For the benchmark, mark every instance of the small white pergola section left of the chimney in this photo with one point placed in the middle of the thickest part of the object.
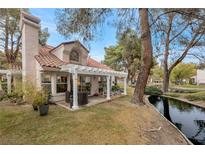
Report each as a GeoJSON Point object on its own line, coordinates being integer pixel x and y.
{"type": "Point", "coordinates": [8, 74]}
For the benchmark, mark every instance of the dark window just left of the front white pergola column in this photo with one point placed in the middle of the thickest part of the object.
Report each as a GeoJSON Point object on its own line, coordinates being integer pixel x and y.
{"type": "Point", "coordinates": [61, 84]}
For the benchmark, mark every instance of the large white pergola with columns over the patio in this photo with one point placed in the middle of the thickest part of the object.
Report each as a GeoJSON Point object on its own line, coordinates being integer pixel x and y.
{"type": "Point", "coordinates": [78, 69]}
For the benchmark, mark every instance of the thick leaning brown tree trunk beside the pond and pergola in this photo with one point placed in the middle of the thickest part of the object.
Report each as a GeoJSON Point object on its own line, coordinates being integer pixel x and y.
{"type": "Point", "coordinates": [146, 57]}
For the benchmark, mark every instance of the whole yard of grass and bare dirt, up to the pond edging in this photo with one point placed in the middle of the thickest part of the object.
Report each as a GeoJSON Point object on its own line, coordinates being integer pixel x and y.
{"type": "Point", "coordinates": [116, 122]}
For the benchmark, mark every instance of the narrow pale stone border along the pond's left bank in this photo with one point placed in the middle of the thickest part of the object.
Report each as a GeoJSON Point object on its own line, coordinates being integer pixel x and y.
{"type": "Point", "coordinates": [187, 140]}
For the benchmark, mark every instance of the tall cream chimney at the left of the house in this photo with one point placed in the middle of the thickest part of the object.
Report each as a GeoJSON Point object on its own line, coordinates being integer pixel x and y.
{"type": "Point", "coordinates": [30, 46]}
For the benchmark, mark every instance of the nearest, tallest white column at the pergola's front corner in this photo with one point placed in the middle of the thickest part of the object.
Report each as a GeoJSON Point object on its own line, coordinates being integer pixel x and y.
{"type": "Point", "coordinates": [75, 91]}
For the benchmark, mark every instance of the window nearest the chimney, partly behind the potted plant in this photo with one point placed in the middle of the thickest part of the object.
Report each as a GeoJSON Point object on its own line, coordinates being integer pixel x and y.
{"type": "Point", "coordinates": [46, 82]}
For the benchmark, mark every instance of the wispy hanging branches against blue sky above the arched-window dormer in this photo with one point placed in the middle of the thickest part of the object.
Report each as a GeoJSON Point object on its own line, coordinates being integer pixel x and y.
{"type": "Point", "coordinates": [84, 22]}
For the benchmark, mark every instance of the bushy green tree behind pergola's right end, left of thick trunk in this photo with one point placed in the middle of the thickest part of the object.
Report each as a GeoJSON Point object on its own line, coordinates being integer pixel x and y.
{"type": "Point", "coordinates": [126, 54]}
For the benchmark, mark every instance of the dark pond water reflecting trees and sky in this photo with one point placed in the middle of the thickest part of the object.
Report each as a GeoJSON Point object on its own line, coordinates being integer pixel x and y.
{"type": "Point", "coordinates": [188, 118]}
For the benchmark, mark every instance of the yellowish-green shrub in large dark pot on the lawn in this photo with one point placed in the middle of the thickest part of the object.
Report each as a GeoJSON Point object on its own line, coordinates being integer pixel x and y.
{"type": "Point", "coordinates": [41, 100]}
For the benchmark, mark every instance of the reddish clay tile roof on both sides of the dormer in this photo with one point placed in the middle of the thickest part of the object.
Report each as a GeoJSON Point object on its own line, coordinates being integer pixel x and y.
{"type": "Point", "coordinates": [48, 60]}
